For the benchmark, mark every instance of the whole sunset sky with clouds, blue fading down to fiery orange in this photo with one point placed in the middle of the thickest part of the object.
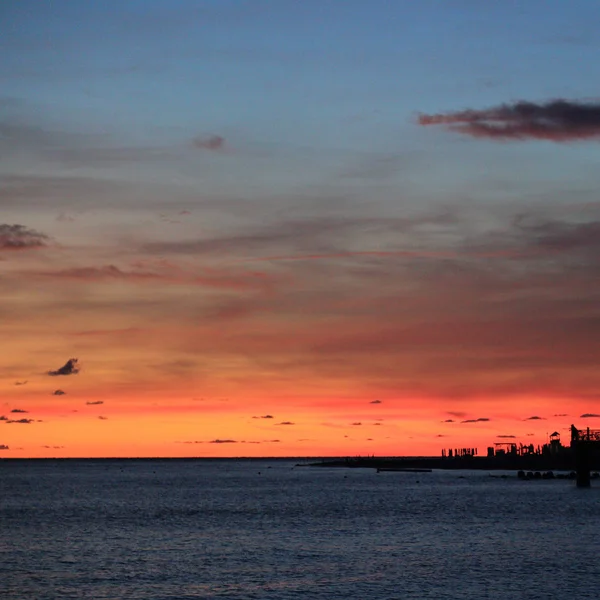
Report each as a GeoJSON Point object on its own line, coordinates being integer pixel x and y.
{"type": "Point", "coordinates": [282, 228]}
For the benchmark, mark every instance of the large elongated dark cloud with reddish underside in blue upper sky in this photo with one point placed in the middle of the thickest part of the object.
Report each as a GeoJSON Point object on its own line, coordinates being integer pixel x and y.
{"type": "Point", "coordinates": [556, 120]}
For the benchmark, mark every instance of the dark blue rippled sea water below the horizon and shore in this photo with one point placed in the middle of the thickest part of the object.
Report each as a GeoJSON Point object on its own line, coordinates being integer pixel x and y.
{"type": "Point", "coordinates": [250, 529]}
